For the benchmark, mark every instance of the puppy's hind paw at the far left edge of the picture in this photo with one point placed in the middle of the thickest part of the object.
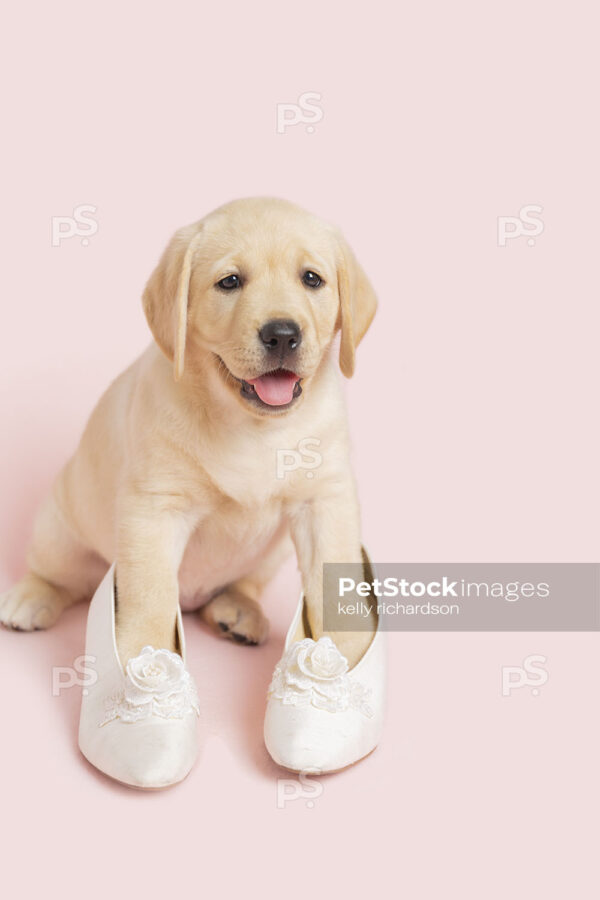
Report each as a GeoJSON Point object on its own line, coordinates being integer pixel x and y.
{"type": "Point", "coordinates": [32, 604]}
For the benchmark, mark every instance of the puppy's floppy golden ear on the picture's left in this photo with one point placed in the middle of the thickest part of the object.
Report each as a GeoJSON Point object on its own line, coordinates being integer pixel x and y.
{"type": "Point", "coordinates": [165, 298]}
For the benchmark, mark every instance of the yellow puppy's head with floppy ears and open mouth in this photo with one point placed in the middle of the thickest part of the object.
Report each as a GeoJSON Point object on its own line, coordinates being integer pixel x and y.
{"type": "Point", "coordinates": [257, 291]}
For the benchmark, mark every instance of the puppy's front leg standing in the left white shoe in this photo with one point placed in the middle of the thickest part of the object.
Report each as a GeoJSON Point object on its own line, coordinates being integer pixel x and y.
{"type": "Point", "coordinates": [153, 531]}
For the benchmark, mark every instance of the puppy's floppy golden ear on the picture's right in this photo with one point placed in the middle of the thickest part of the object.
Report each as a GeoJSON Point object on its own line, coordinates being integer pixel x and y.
{"type": "Point", "coordinates": [357, 305]}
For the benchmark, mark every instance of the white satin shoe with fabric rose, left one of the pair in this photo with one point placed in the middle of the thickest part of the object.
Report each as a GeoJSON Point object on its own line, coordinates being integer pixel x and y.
{"type": "Point", "coordinates": [138, 726]}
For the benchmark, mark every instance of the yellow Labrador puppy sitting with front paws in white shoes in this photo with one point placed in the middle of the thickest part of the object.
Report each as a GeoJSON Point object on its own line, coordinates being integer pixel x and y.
{"type": "Point", "coordinates": [178, 473]}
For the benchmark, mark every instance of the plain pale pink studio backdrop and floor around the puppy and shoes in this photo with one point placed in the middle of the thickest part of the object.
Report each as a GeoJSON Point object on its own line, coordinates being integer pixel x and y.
{"type": "Point", "coordinates": [474, 415]}
